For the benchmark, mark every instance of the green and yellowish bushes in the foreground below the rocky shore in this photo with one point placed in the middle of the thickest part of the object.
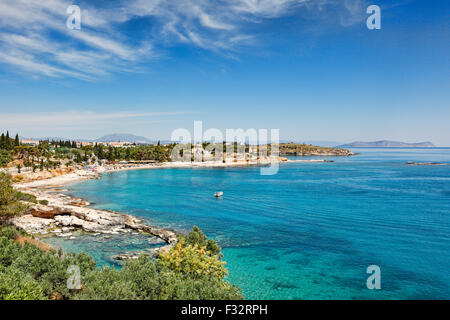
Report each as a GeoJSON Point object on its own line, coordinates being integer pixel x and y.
{"type": "Point", "coordinates": [187, 271]}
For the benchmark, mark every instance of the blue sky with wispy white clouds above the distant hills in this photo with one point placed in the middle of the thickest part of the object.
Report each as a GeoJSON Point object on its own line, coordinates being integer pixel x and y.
{"type": "Point", "coordinates": [310, 68]}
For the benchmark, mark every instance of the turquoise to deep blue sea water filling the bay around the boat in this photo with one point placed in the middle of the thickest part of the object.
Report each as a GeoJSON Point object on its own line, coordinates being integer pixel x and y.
{"type": "Point", "coordinates": [308, 232]}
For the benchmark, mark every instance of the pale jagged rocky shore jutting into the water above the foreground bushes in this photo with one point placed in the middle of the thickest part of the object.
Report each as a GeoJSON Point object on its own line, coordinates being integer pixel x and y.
{"type": "Point", "coordinates": [64, 216]}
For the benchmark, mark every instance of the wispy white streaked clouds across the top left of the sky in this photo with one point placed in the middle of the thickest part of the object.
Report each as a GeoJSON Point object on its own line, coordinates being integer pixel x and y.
{"type": "Point", "coordinates": [34, 37]}
